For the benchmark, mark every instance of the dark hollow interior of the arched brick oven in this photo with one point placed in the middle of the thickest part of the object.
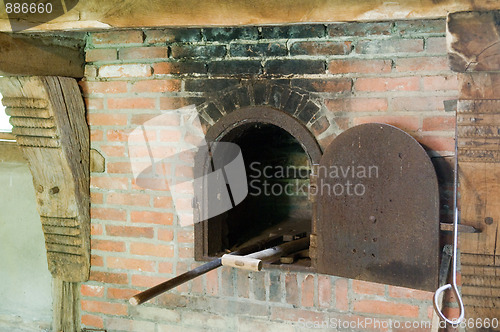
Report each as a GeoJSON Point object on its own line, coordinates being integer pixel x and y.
{"type": "Point", "coordinates": [277, 170]}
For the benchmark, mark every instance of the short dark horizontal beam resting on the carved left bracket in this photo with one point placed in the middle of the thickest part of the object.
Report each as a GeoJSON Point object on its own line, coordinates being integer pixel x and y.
{"type": "Point", "coordinates": [41, 55]}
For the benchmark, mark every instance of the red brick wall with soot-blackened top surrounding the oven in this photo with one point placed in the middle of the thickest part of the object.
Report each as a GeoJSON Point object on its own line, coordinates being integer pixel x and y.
{"type": "Point", "coordinates": [392, 72]}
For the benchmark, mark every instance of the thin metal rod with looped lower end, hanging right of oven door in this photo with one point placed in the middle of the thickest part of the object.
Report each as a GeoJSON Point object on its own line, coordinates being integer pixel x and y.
{"type": "Point", "coordinates": [453, 284]}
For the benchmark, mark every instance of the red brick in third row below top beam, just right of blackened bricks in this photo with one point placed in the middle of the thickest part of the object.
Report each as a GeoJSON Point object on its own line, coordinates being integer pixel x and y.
{"type": "Point", "coordinates": [359, 66]}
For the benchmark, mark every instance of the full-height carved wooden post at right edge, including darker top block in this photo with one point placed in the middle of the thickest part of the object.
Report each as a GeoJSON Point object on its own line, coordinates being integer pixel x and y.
{"type": "Point", "coordinates": [474, 52]}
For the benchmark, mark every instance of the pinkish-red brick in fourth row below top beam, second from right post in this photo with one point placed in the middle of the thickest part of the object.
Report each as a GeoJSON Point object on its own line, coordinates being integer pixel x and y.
{"type": "Point", "coordinates": [387, 84]}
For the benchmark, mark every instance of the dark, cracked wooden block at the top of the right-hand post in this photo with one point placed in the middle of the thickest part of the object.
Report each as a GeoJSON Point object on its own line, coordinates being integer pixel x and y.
{"type": "Point", "coordinates": [475, 41]}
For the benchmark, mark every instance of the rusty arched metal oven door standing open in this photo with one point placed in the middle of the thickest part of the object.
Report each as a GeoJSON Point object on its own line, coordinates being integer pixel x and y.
{"type": "Point", "coordinates": [377, 209]}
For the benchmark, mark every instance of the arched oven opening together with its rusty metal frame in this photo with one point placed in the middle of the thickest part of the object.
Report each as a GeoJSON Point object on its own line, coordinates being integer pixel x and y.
{"type": "Point", "coordinates": [278, 152]}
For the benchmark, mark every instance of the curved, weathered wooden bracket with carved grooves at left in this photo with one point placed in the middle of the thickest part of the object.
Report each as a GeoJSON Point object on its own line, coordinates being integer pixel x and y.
{"type": "Point", "coordinates": [48, 116]}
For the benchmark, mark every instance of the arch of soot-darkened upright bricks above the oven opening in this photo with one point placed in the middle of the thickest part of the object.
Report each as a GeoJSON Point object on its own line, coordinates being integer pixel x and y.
{"type": "Point", "coordinates": [298, 103]}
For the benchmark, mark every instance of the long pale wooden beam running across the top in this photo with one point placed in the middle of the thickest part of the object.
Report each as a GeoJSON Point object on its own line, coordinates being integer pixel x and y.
{"type": "Point", "coordinates": [92, 14]}
